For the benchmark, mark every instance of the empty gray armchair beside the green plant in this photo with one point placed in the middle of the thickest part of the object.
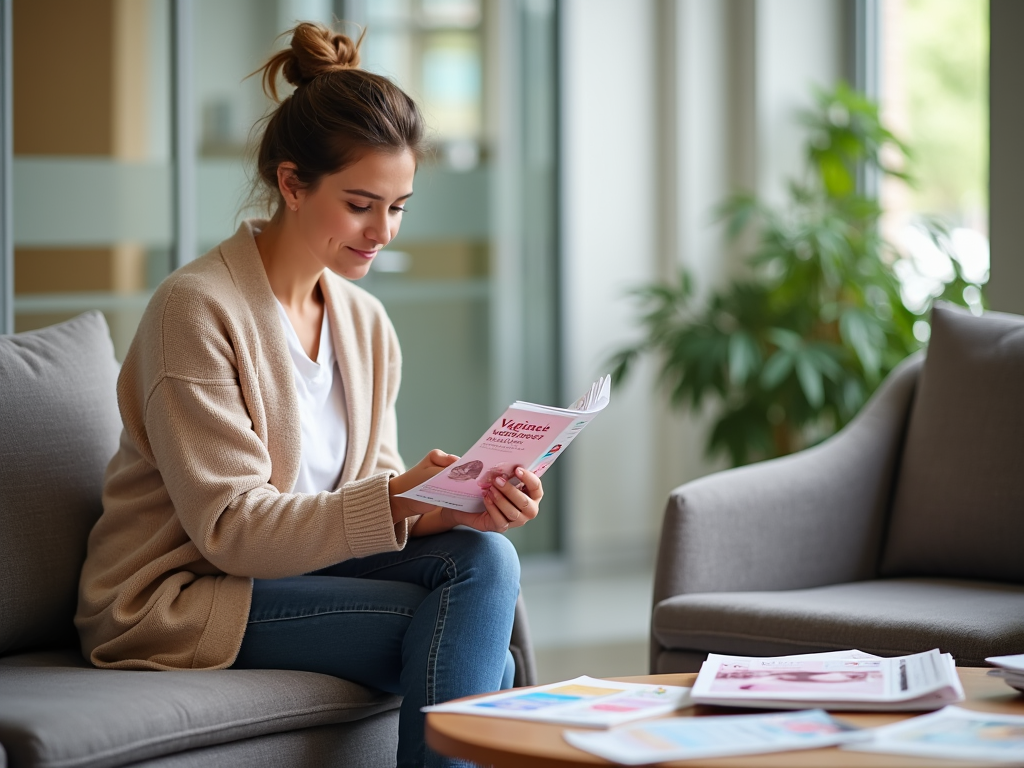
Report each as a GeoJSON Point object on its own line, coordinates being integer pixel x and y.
{"type": "Point", "coordinates": [904, 533]}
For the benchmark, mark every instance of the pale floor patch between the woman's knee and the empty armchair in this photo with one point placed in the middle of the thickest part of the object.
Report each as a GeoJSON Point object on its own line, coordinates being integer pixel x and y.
{"type": "Point", "coordinates": [588, 624]}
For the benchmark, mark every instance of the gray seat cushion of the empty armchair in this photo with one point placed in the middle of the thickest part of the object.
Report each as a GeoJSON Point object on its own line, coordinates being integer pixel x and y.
{"type": "Point", "coordinates": [890, 617]}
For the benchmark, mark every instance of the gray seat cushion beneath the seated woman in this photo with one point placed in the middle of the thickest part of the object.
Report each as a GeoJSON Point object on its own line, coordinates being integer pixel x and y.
{"type": "Point", "coordinates": [58, 712]}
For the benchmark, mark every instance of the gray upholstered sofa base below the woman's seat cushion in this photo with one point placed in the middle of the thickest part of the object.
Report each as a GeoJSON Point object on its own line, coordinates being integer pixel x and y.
{"type": "Point", "coordinates": [368, 744]}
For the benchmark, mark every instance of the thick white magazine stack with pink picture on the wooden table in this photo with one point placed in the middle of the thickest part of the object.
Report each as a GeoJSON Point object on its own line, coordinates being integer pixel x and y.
{"type": "Point", "coordinates": [839, 680]}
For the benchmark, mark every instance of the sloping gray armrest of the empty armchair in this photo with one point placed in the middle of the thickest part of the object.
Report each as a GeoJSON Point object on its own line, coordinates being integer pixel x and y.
{"type": "Point", "coordinates": [809, 520]}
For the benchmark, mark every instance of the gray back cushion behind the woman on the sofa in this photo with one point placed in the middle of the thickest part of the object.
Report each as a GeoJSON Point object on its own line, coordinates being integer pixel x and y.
{"type": "Point", "coordinates": [59, 429]}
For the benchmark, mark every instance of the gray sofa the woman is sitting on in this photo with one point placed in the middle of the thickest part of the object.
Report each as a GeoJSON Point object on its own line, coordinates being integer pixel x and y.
{"type": "Point", "coordinates": [59, 428]}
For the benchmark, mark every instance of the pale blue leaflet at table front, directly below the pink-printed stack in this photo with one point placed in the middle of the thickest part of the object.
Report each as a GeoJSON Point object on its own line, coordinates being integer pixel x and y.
{"type": "Point", "coordinates": [684, 739]}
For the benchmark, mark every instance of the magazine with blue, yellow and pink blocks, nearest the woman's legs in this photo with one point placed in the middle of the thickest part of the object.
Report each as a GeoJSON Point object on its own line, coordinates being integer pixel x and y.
{"type": "Point", "coordinates": [583, 702]}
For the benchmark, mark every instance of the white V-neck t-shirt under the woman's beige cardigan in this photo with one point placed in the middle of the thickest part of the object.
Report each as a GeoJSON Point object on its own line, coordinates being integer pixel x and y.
{"type": "Point", "coordinates": [323, 414]}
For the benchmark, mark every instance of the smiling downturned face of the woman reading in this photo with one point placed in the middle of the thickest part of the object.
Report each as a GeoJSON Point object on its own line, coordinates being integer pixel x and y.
{"type": "Point", "coordinates": [354, 214]}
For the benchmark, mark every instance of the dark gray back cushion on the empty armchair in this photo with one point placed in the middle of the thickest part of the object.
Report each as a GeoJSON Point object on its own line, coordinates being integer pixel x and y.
{"type": "Point", "coordinates": [959, 509]}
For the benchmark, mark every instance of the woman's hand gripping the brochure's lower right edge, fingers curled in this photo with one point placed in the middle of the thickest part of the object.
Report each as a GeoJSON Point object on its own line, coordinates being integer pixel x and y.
{"type": "Point", "coordinates": [506, 507]}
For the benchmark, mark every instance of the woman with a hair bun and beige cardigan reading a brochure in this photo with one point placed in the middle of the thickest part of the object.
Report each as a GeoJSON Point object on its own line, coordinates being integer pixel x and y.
{"type": "Point", "coordinates": [251, 516]}
